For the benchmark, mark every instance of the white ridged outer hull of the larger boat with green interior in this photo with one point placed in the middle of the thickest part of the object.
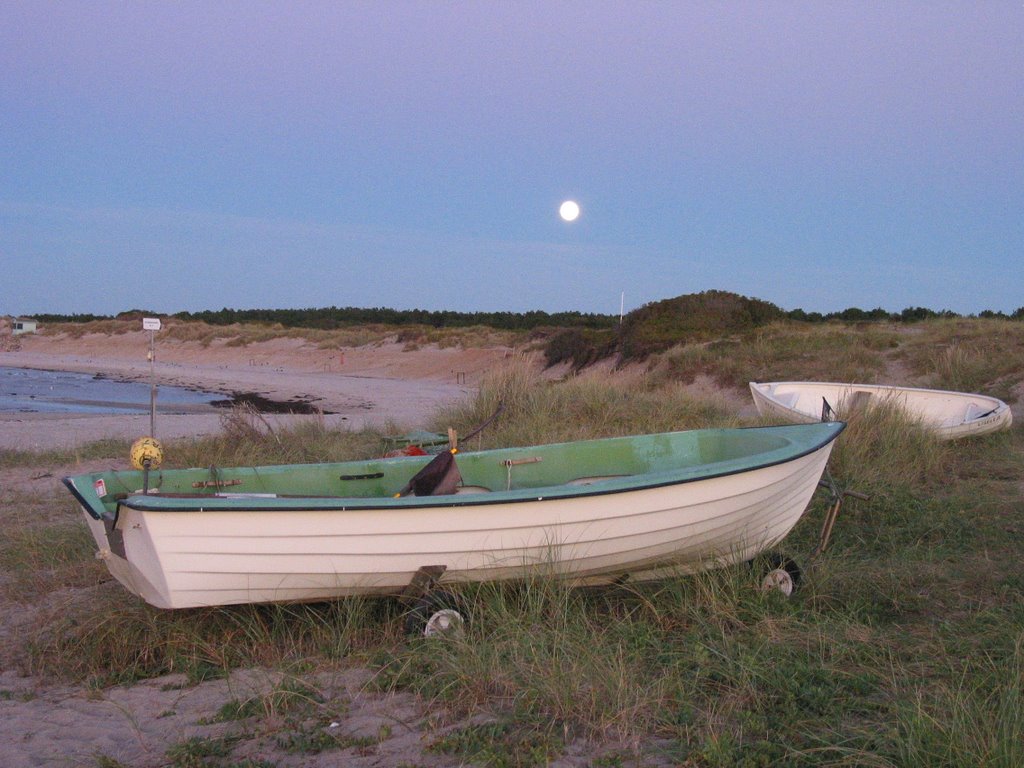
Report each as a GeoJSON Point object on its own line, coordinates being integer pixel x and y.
{"type": "Point", "coordinates": [274, 550]}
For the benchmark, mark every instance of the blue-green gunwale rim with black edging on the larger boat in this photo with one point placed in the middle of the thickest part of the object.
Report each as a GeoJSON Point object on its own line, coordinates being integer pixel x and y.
{"type": "Point", "coordinates": [630, 484]}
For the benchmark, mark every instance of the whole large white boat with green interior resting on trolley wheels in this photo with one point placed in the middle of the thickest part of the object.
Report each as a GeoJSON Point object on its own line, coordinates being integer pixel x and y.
{"type": "Point", "coordinates": [594, 511]}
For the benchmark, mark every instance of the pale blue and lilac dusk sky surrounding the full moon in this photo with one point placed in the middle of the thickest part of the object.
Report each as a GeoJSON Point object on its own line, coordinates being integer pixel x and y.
{"type": "Point", "coordinates": [817, 155]}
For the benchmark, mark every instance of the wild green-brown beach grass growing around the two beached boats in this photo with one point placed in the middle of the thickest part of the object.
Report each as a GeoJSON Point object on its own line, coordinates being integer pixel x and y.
{"type": "Point", "coordinates": [905, 646]}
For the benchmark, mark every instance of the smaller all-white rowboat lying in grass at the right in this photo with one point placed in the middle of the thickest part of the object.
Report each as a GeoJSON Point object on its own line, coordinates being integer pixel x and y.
{"type": "Point", "coordinates": [949, 415]}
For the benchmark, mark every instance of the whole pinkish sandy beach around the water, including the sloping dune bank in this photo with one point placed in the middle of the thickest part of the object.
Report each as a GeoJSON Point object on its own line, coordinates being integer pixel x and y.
{"type": "Point", "coordinates": [376, 386]}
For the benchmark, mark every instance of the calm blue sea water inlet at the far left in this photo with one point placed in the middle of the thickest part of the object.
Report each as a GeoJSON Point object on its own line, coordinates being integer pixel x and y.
{"type": "Point", "coordinates": [27, 391]}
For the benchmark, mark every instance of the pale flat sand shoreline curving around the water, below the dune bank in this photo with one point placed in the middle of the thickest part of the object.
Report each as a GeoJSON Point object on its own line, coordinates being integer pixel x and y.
{"type": "Point", "coordinates": [356, 400]}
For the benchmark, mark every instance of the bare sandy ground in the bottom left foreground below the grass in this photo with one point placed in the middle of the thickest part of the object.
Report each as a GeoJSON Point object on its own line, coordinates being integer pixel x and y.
{"type": "Point", "coordinates": [139, 726]}
